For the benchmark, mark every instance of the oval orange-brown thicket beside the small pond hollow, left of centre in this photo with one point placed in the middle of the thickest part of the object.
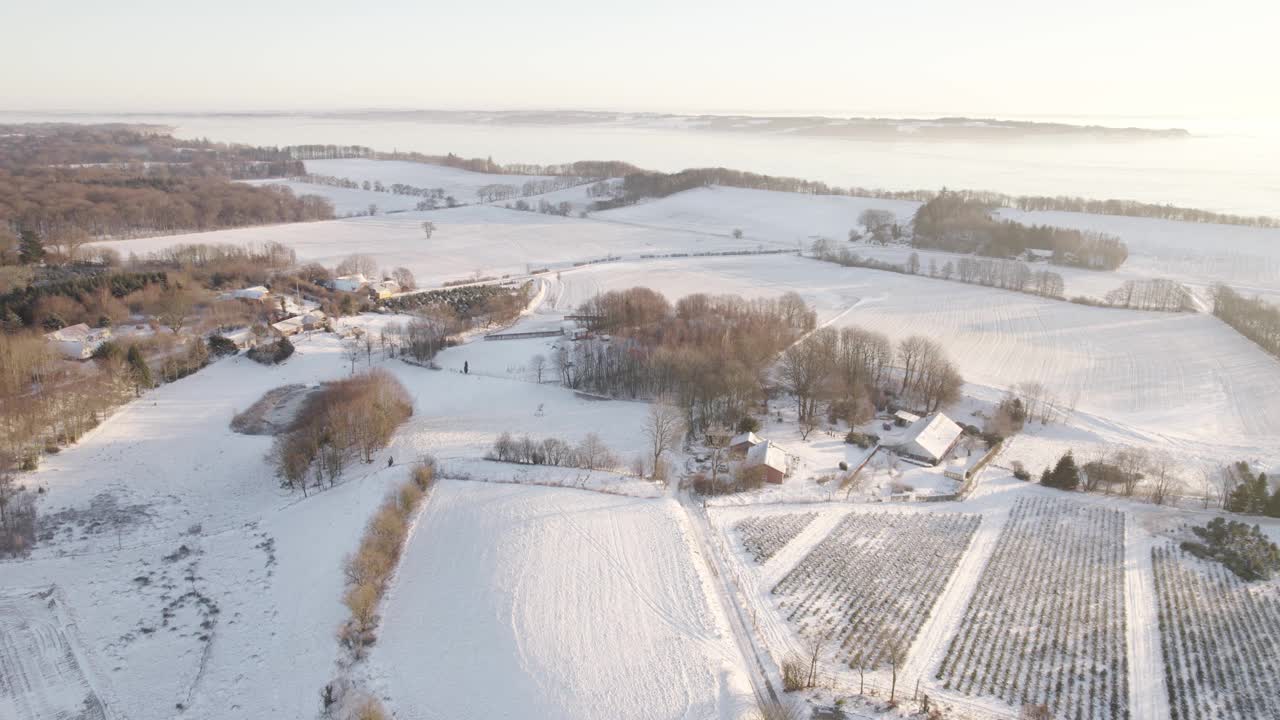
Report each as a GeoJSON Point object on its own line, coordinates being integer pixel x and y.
{"type": "Point", "coordinates": [346, 421]}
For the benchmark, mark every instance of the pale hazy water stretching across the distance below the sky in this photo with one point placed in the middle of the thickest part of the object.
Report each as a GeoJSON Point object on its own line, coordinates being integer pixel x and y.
{"type": "Point", "coordinates": [1228, 168]}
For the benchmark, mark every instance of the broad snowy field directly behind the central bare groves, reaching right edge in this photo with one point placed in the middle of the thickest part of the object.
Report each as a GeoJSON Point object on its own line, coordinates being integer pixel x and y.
{"type": "Point", "coordinates": [1185, 382]}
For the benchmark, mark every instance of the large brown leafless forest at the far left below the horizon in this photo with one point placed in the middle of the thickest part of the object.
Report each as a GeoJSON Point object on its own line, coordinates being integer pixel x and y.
{"type": "Point", "coordinates": [66, 184]}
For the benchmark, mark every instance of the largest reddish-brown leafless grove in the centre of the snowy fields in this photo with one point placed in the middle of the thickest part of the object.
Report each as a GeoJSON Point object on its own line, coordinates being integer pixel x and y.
{"type": "Point", "coordinates": [707, 356]}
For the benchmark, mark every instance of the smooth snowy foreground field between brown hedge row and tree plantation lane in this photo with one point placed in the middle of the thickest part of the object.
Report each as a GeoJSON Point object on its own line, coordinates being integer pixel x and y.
{"type": "Point", "coordinates": [536, 603]}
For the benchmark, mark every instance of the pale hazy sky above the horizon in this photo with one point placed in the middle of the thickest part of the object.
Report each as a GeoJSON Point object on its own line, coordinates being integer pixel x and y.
{"type": "Point", "coordinates": [1118, 58]}
